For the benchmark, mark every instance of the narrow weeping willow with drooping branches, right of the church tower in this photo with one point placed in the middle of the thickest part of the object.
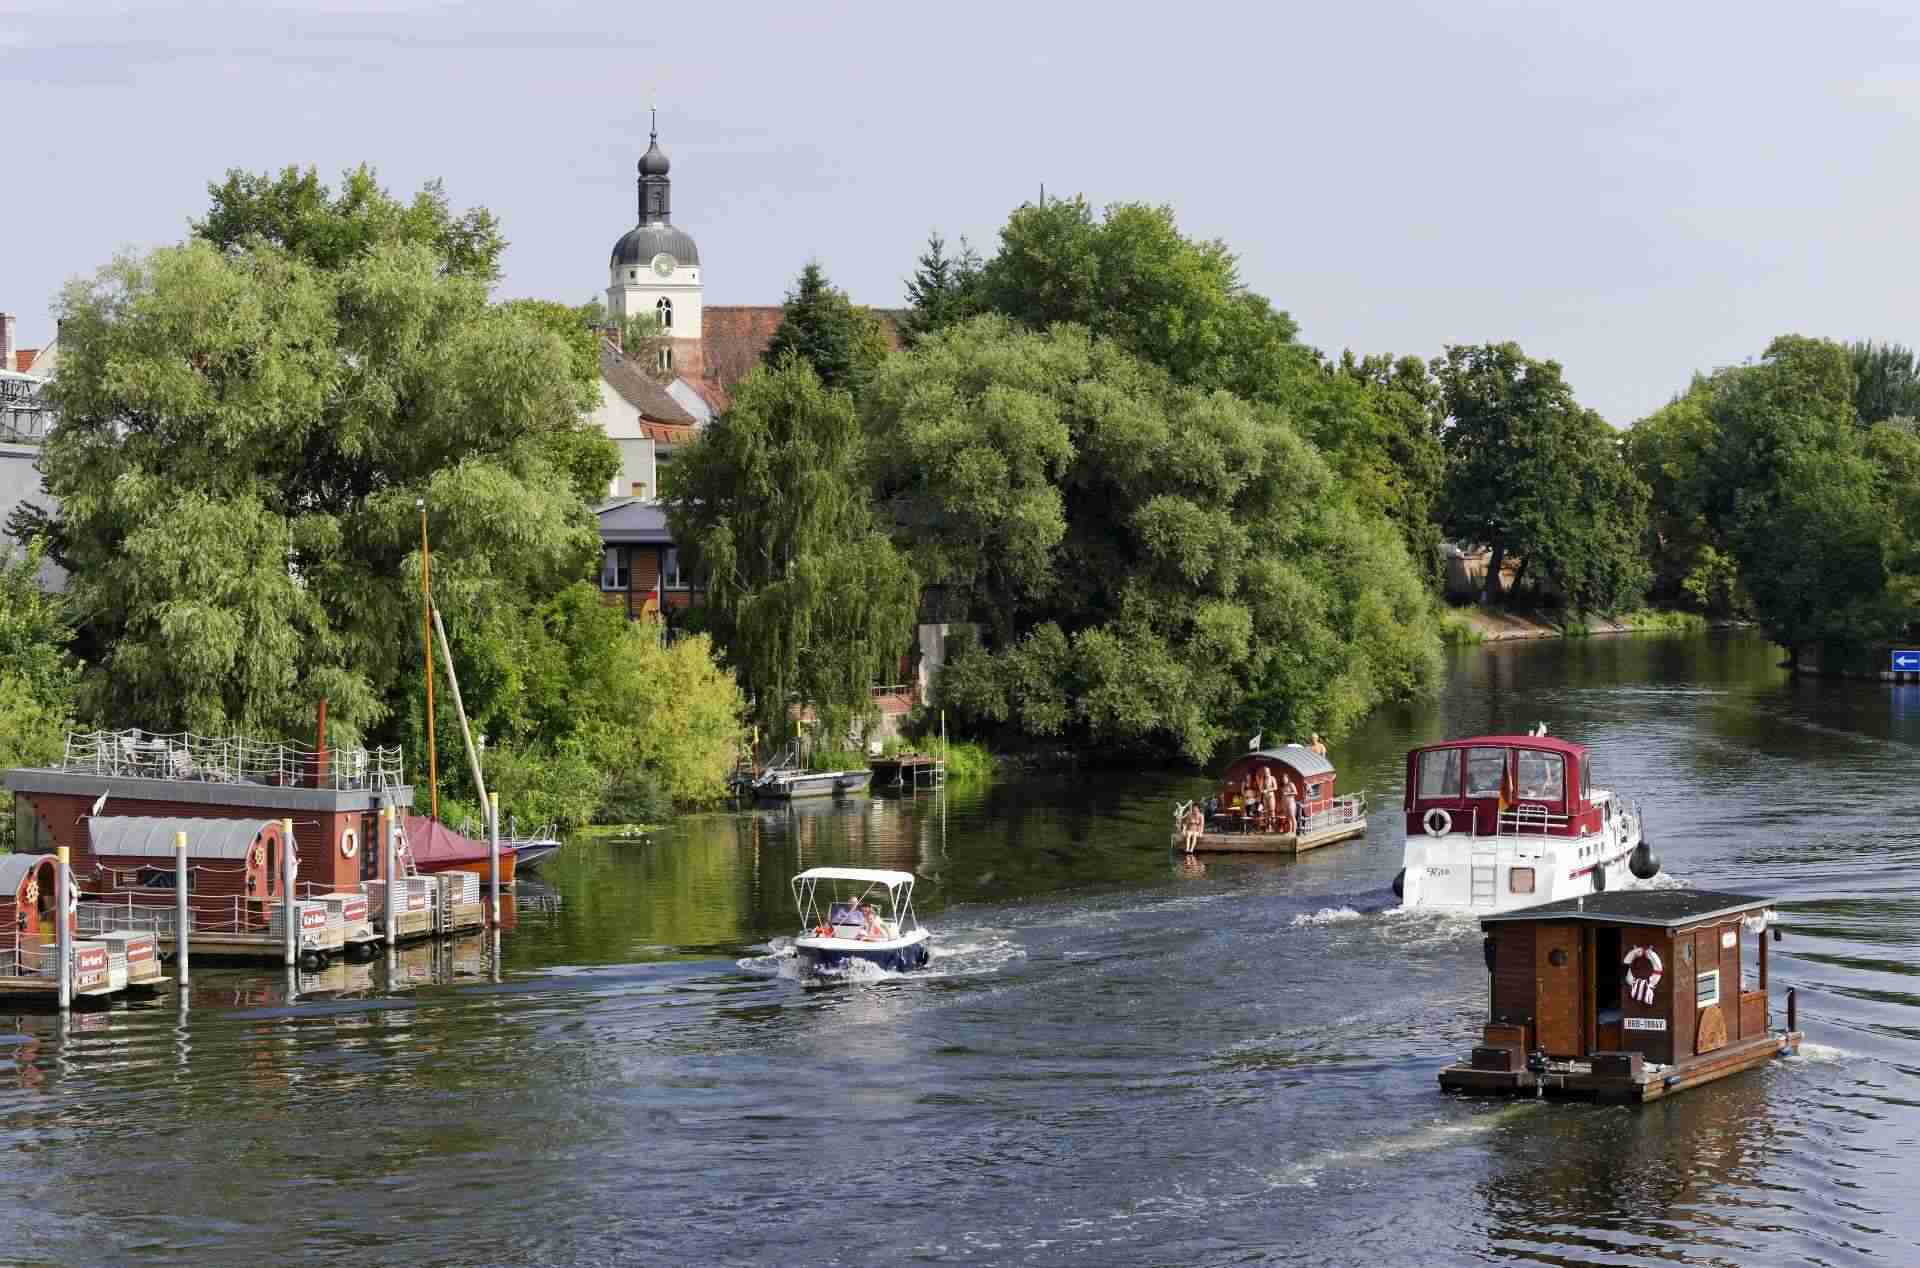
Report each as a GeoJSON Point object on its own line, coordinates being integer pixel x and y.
{"type": "Point", "coordinates": [807, 597]}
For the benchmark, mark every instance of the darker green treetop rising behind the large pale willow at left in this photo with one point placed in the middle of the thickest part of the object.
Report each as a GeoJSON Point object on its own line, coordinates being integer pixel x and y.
{"type": "Point", "coordinates": [302, 216]}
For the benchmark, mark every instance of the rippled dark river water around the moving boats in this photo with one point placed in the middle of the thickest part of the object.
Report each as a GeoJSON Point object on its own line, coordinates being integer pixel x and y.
{"type": "Point", "coordinates": [1111, 1061]}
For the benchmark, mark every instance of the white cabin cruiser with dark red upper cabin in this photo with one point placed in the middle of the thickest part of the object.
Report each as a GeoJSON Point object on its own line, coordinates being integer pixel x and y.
{"type": "Point", "coordinates": [1499, 823]}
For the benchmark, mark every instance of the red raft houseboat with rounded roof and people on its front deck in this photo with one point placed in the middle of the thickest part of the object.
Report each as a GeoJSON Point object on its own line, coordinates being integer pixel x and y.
{"type": "Point", "coordinates": [1237, 817]}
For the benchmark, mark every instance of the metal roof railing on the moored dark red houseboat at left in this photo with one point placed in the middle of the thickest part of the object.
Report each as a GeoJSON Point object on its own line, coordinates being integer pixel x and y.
{"type": "Point", "coordinates": [229, 760]}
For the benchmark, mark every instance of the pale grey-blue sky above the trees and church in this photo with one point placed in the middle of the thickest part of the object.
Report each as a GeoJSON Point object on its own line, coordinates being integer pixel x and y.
{"type": "Point", "coordinates": [1637, 191]}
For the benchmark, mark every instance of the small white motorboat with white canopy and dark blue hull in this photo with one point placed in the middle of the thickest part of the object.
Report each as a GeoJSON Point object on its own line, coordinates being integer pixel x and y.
{"type": "Point", "coordinates": [852, 914]}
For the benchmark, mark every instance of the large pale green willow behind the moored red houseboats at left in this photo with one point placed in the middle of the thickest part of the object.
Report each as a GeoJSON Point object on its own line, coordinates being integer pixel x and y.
{"type": "Point", "coordinates": [245, 435]}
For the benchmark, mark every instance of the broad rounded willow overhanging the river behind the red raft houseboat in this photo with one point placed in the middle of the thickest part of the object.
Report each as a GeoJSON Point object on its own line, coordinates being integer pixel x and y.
{"type": "Point", "coordinates": [1151, 566]}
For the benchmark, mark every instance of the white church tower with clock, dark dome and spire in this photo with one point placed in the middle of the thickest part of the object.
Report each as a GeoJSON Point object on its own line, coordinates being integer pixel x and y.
{"type": "Point", "coordinates": [658, 270]}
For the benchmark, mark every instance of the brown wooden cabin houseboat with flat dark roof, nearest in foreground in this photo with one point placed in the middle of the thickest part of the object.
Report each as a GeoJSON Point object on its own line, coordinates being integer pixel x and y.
{"type": "Point", "coordinates": [1625, 996]}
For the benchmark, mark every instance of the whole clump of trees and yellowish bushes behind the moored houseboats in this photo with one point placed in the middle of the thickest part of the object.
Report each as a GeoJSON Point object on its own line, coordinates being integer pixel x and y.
{"type": "Point", "coordinates": [249, 424]}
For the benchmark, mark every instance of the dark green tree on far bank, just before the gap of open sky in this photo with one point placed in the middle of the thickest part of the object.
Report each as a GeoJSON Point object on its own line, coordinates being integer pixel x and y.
{"type": "Point", "coordinates": [1535, 475]}
